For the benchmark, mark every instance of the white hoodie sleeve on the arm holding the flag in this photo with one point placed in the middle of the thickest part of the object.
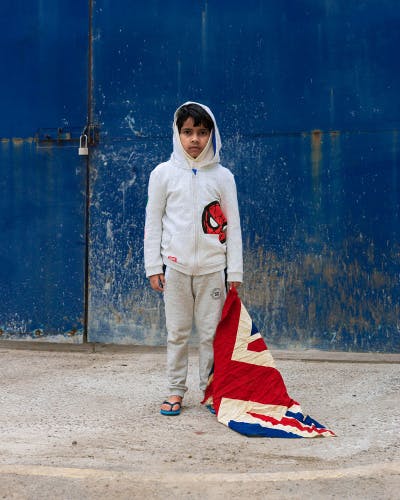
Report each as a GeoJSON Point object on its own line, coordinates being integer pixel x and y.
{"type": "Point", "coordinates": [234, 252]}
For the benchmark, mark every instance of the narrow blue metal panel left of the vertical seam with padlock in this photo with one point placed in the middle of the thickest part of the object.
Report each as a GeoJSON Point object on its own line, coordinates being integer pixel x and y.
{"type": "Point", "coordinates": [43, 102]}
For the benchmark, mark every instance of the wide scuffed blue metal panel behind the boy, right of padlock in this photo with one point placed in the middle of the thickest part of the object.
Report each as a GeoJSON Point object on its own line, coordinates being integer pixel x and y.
{"type": "Point", "coordinates": [306, 95]}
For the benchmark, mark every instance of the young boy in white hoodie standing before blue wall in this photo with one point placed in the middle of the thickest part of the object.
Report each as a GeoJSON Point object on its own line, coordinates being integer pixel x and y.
{"type": "Point", "coordinates": [192, 236]}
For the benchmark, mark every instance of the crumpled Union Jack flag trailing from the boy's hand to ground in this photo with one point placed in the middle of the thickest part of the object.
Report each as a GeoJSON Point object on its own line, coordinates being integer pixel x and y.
{"type": "Point", "coordinates": [247, 391]}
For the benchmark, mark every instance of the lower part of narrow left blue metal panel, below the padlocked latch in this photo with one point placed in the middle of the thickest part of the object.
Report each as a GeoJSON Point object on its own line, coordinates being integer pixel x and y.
{"type": "Point", "coordinates": [42, 251]}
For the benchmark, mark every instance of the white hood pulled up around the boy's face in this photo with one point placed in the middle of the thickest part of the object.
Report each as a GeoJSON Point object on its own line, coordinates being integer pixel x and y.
{"type": "Point", "coordinates": [209, 156]}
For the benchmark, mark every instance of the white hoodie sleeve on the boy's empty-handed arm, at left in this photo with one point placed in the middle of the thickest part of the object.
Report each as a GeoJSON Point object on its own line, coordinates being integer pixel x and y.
{"type": "Point", "coordinates": [153, 225]}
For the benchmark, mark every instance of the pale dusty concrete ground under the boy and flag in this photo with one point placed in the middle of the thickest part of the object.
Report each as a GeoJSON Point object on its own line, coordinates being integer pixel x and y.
{"type": "Point", "coordinates": [82, 422]}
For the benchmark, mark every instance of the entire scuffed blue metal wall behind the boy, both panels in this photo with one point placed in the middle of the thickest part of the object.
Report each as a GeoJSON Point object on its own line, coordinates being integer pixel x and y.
{"type": "Point", "coordinates": [306, 96]}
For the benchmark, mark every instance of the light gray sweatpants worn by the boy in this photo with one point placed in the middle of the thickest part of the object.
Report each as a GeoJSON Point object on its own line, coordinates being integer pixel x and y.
{"type": "Point", "coordinates": [191, 300]}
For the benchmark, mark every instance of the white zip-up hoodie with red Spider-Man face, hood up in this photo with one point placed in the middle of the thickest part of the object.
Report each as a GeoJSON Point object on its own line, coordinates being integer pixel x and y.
{"type": "Point", "coordinates": [184, 227]}
